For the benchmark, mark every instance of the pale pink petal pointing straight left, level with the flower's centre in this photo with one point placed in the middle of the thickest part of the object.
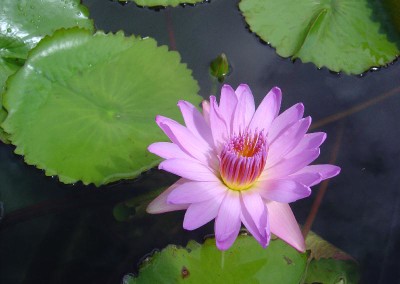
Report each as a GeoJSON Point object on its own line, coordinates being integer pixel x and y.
{"type": "Point", "coordinates": [188, 169]}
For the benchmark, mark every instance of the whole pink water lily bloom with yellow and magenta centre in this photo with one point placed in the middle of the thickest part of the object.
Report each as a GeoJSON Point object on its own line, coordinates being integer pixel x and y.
{"type": "Point", "coordinates": [240, 166]}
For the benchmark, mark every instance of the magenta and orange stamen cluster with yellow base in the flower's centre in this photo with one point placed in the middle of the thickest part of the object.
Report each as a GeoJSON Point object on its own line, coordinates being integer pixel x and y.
{"type": "Point", "coordinates": [243, 159]}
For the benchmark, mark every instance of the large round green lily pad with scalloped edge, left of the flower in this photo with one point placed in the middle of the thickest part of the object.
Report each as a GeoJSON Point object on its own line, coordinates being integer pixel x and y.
{"type": "Point", "coordinates": [83, 105]}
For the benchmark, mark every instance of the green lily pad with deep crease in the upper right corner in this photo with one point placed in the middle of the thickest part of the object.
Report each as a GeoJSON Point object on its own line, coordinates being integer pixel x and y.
{"type": "Point", "coordinates": [344, 36]}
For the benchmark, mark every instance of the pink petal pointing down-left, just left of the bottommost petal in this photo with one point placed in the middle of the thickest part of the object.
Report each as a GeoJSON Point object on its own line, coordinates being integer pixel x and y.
{"type": "Point", "coordinates": [201, 213]}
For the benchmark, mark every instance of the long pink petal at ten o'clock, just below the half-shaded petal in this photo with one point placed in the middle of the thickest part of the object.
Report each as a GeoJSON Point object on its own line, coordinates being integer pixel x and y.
{"type": "Point", "coordinates": [185, 139]}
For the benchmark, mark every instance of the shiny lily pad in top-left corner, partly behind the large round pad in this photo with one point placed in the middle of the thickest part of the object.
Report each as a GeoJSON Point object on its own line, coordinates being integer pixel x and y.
{"type": "Point", "coordinates": [24, 23]}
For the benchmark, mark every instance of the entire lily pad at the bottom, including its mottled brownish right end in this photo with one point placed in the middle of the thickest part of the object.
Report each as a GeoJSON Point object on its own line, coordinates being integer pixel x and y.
{"type": "Point", "coordinates": [247, 262]}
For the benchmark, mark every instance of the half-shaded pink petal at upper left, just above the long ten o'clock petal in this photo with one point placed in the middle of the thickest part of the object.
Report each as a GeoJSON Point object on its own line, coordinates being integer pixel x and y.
{"type": "Point", "coordinates": [195, 122]}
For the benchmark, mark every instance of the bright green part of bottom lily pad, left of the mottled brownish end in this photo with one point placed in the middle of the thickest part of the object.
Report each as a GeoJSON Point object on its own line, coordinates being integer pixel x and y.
{"type": "Point", "coordinates": [245, 262]}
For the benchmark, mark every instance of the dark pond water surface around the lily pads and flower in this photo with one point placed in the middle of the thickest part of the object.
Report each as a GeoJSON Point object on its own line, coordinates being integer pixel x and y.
{"type": "Point", "coordinates": [55, 233]}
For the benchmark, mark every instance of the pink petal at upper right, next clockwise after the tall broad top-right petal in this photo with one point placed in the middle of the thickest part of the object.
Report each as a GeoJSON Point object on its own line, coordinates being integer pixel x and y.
{"type": "Point", "coordinates": [285, 120]}
